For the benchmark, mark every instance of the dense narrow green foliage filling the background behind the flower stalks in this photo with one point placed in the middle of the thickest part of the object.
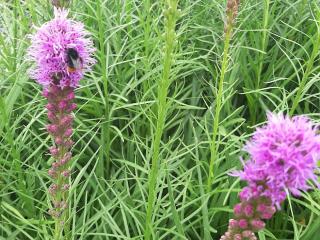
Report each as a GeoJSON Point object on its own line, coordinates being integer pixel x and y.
{"type": "Point", "coordinates": [273, 65]}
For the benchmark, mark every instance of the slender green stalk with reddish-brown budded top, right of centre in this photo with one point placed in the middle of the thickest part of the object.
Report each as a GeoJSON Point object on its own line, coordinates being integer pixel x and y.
{"type": "Point", "coordinates": [231, 12]}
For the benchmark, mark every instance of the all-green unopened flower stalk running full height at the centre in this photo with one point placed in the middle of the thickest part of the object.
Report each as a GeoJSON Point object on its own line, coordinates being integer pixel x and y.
{"type": "Point", "coordinates": [171, 15]}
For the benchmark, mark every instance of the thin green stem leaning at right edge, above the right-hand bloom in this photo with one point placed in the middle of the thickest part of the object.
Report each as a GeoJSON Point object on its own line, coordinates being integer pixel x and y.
{"type": "Point", "coordinates": [314, 54]}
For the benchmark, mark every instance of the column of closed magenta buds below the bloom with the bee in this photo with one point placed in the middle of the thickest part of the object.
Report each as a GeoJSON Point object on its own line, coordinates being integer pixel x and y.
{"type": "Point", "coordinates": [60, 106]}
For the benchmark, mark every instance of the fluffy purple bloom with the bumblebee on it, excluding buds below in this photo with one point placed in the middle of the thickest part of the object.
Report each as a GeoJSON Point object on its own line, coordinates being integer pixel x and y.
{"type": "Point", "coordinates": [62, 51]}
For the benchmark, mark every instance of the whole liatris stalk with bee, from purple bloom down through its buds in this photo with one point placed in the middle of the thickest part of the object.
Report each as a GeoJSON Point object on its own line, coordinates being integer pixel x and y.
{"type": "Point", "coordinates": [61, 50]}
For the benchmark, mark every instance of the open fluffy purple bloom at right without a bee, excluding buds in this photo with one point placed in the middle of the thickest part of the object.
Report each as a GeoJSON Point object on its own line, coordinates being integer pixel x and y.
{"type": "Point", "coordinates": [284, 155]}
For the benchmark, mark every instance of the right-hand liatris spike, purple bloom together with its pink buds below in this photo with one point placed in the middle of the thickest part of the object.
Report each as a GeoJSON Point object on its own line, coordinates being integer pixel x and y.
{"type": "Point", "coordinates": [284, 156]}
